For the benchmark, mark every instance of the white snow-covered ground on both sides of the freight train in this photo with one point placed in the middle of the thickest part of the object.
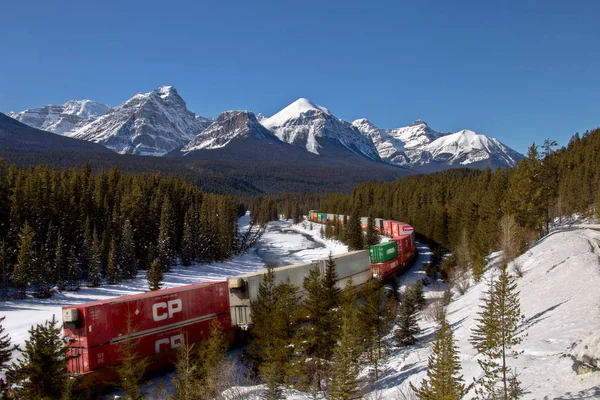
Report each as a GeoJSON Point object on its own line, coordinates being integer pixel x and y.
{"type": "Point", "coordinates": [559, 298]}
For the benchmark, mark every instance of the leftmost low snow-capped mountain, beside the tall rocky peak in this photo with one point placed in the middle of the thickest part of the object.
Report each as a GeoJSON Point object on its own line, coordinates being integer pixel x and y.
{"type": "Point", "coordinates": [62, 119]}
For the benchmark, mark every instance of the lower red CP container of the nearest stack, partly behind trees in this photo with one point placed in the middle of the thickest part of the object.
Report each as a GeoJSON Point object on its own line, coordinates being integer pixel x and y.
{"type": "Point", "coordinates": [147, 344]}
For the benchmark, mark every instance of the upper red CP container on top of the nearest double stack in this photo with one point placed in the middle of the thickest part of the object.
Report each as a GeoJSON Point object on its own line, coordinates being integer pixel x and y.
{"type": "Point", "coordinates": [104, 321]}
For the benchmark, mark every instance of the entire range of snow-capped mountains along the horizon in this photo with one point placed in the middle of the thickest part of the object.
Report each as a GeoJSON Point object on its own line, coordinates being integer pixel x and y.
{"type": "Point", "coordinates": [158, 123]}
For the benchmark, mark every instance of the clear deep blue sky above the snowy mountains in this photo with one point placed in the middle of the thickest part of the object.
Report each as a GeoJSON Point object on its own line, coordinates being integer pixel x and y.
{"type": "Point", "coordinates": [520, 71]}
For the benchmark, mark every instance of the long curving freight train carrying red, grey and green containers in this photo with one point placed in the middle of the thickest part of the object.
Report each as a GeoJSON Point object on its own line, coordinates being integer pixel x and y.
{"type": "Point", "coordinates": [163, 320]}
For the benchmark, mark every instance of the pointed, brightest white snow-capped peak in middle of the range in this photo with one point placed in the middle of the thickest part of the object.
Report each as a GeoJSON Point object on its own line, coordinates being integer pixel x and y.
{"type": "Point", "coordinates": [307, 125]}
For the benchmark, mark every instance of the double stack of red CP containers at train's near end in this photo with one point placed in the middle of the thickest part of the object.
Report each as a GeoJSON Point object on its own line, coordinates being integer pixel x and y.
{"type": "Point", "coordinates": [160, 322]}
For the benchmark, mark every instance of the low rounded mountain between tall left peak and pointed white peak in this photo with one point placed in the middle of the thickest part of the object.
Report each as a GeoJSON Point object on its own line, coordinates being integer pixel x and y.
{"type": "Point", "coordinates": [228, 126]}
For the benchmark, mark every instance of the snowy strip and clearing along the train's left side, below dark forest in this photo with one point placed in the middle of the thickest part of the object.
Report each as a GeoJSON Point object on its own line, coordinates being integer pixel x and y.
{"type": "Point", "coordinates": [283, 240]}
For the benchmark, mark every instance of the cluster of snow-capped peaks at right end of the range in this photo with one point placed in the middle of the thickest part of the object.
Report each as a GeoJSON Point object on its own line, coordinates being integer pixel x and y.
{"type": "Point", "coordinates": [420, 147]}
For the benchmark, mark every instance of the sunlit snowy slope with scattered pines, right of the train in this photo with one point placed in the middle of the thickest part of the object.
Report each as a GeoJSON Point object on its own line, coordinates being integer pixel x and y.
{"type": "Point", "coordinates": [560, 299]}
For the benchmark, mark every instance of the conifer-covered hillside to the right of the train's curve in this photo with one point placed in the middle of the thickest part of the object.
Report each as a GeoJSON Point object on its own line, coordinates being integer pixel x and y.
{"type": "Point", "coordinates": [467, 205]}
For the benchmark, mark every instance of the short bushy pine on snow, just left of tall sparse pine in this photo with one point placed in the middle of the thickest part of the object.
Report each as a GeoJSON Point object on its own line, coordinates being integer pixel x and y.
{"type": "Point", "coordinates": [443, 369]}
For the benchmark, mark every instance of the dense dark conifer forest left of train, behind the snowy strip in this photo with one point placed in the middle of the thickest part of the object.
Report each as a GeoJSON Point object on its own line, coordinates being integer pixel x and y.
{"type": "Point", "coordinates": [66, 227]}
